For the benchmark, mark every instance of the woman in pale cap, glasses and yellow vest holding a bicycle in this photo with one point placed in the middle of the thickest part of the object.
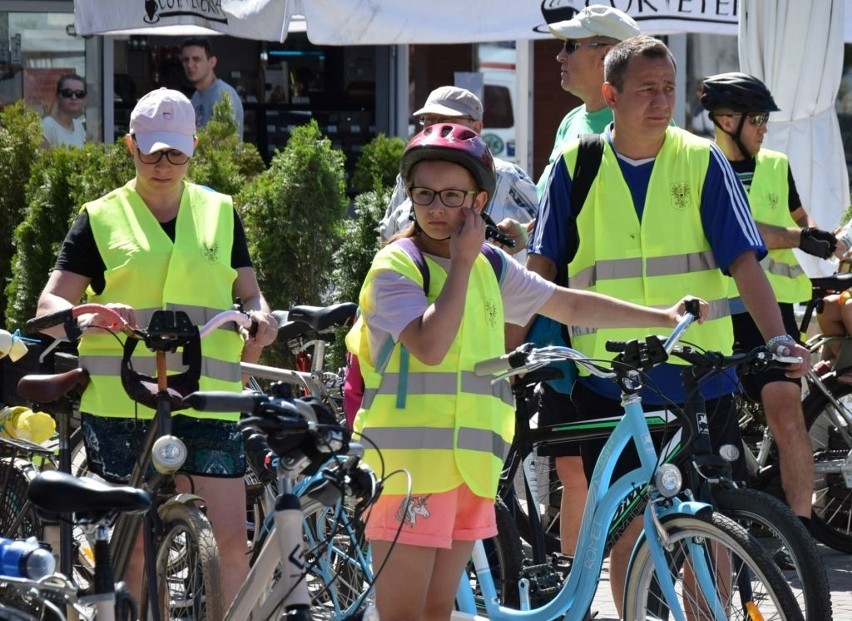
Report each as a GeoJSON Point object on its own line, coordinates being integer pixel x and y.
{"type": "Point", "coordinates": [162, 241]}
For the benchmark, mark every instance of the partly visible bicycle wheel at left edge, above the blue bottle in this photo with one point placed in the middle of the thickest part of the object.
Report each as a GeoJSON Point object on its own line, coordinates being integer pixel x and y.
{"type": "Point", "coordinates": [18, 518]}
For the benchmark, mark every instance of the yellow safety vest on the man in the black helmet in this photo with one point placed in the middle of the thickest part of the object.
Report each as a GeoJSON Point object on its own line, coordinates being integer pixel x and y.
{"type": "Point", "coordinates": [768, 197]}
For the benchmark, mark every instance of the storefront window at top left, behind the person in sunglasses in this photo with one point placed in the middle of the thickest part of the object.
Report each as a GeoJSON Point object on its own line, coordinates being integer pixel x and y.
{"type": "Point", "coordinates": [42, 46]}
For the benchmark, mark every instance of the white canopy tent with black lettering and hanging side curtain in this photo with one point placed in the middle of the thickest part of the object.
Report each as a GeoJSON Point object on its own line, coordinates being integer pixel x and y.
{"type": "Point", "coordinates": [797, 47]}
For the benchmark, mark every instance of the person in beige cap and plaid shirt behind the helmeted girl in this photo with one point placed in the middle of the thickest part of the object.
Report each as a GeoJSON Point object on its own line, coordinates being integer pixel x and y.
{"type": "Point", "coordinates": [514, 196]}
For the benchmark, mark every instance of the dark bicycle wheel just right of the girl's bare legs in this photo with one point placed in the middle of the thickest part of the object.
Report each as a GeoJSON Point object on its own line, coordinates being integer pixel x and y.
{"type": "Point", "coordinates": [505, 558]}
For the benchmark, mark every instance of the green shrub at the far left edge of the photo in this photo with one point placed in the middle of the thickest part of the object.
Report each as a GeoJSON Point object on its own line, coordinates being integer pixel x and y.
{"type": "Point", "coordinates": [20, 140]}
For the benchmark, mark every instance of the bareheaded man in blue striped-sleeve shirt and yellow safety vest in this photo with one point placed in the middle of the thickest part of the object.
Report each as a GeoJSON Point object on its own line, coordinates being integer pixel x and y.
{"type": "Point", "coordinates": [664, 215]}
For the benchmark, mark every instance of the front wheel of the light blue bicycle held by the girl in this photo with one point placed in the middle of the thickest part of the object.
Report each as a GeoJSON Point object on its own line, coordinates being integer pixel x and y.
{"type": "Point", "coordinates": [770, 592]}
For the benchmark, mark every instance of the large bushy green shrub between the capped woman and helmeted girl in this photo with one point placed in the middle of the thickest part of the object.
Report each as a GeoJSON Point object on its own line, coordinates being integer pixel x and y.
{"type": "Point", "coordinates": [293, 215]}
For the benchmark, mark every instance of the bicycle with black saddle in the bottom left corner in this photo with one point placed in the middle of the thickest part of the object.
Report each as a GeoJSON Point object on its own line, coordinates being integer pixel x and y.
{"type": "Point", "coordinates": [92, 506]}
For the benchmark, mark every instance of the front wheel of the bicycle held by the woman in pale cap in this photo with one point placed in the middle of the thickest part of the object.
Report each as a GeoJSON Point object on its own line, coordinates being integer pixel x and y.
{"type": "Point", "coordinates": [189, 578]}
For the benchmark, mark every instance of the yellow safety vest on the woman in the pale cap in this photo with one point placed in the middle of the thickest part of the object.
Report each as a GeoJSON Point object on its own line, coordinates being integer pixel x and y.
{"type": "Point", "coordinates": [146, 270]}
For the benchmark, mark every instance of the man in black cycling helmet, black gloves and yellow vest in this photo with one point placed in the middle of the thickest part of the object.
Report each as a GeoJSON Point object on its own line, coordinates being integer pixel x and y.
{"type": "Point", "coordinates": [739, 105]}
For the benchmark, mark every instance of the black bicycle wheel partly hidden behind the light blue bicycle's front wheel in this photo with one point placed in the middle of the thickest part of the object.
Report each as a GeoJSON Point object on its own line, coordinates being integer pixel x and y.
{"type": "Point", "coordinates": [788, 542]}
